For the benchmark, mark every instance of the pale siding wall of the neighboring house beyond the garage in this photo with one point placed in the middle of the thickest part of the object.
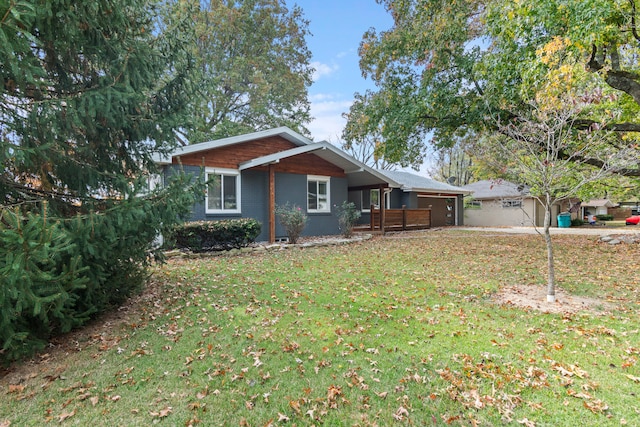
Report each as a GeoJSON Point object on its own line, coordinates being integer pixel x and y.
{"type": "Point", "coordinates": [493, 214]}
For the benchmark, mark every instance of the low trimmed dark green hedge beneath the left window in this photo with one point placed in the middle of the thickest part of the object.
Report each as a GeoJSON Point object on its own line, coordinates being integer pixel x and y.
{"type": "Point", "coordinates": [200, 236]}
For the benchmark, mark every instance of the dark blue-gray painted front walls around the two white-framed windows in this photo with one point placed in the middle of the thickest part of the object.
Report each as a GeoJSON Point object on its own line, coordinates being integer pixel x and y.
{"type": "Point", "coordinates": [254, 202]}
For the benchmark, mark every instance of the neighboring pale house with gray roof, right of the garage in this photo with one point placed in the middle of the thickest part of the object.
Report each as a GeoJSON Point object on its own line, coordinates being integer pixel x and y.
{"type": "Point", "coordinates": [502, 203]}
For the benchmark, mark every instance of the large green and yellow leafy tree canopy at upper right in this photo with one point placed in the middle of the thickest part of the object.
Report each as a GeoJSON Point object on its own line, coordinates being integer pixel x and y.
{"type": "Point", "coordinates": [446, 68]}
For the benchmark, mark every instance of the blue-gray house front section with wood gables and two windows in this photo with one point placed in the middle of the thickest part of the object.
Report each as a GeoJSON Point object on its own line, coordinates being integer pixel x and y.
{"type": "Point", "coordinates": [254, 173]}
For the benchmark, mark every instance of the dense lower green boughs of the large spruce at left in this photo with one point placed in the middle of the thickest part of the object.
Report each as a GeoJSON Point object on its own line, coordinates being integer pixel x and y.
{"type": "Point", "coordinates": [58, 272]}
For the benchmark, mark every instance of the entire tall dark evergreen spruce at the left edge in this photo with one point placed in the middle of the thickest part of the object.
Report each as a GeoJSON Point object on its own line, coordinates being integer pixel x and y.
{"type": "Point", "coordinates": [89, 92]}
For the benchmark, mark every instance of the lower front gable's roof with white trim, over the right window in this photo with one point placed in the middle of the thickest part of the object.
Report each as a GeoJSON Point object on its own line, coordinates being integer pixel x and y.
{"type": "Point", "coordinates": [358, 173]}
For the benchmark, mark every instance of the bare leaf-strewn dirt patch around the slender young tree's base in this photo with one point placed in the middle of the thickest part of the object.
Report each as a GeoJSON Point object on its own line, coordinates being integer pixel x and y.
{"type": "Point", "coordinates": [535, 298]}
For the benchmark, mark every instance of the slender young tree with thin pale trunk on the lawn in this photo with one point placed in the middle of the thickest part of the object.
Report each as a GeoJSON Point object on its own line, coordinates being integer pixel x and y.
{"type": "Point", "coordinates": [554, 156]}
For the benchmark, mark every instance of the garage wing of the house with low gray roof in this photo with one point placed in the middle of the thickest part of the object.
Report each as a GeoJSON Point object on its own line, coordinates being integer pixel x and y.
{"type": "Point", "coordinates": [415, 192]}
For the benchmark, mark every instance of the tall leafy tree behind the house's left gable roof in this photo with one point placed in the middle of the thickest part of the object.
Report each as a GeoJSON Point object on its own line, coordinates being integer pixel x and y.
{"type": "Point", "coordinates": [253, 69]}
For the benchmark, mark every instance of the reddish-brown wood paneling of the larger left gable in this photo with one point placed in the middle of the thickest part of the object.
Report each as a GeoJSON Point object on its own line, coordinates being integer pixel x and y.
{"type": "Point", "coordinates": [232, 155]}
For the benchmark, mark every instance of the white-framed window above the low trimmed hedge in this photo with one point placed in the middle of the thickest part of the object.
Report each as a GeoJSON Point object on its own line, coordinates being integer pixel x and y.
{"type": "Point", "coordinates": [223, 191]}
